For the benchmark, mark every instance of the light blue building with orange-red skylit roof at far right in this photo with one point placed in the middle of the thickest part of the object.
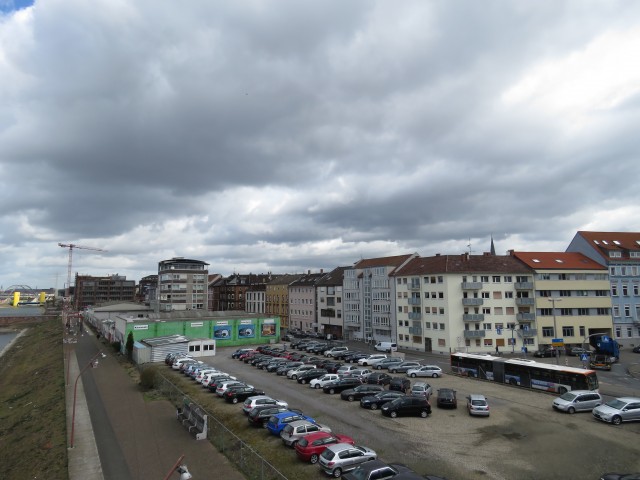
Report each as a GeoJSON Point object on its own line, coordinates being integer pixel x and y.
{"type": "Point", "coordinates": [620, 253]}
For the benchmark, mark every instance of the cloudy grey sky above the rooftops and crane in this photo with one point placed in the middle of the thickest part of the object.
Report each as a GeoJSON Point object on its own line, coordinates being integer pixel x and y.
{"type": "Point", "coordinates": [295, 135]}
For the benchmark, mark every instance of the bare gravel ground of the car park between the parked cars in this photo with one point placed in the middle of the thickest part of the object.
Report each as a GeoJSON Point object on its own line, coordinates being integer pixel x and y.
{"type": "Point", "coordinates": [523, 438]}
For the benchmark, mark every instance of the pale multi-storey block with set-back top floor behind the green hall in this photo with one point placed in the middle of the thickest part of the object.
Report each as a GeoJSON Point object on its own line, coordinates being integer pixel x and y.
{"type": "Point", "coordinates": [182, 284]}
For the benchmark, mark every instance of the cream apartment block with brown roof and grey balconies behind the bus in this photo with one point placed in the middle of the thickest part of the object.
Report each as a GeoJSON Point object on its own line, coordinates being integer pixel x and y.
{"type": "Point", "coordinates": [476, 303]}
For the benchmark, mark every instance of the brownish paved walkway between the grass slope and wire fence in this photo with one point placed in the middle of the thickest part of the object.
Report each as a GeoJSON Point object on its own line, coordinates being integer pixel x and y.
{"type": "Point", "coordinates": [118, 435]}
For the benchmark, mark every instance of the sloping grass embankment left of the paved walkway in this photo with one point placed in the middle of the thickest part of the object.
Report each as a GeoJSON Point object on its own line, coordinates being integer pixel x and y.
{"type": "Point", "coordinates": [32, 405]}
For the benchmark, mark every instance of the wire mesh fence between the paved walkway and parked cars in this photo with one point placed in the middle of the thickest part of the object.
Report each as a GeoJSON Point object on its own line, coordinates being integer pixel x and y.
{"type": "Point", "coordinates": [253, 465]}
